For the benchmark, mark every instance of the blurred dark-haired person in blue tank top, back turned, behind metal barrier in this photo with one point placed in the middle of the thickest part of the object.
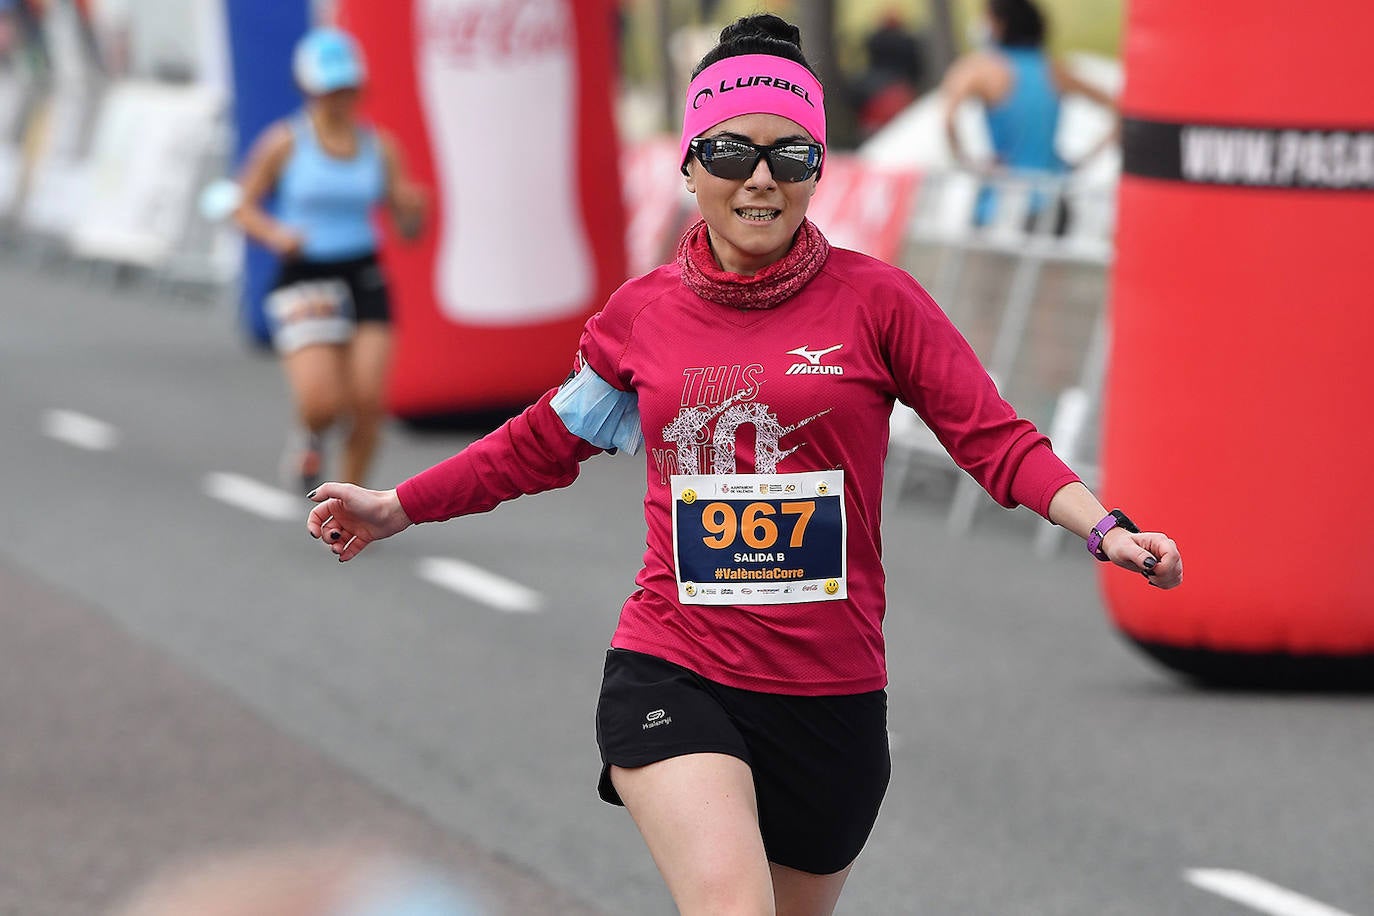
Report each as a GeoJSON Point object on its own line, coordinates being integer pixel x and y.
{"type": "Point", "coordinates": [1022, 90]}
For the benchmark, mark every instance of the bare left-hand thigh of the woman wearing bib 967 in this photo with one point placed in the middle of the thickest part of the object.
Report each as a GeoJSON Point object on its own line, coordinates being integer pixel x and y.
{"type": "Point", "coordinates": [700, 821]}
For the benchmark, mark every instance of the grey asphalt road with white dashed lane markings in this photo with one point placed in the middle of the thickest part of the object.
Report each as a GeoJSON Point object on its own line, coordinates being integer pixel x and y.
{"type": "Point", "coordinates": [183, 669]}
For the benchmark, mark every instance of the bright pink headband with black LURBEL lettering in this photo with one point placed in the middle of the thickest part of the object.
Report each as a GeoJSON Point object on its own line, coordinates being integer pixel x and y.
{"type": "Point", "coordinates": [754, 84]}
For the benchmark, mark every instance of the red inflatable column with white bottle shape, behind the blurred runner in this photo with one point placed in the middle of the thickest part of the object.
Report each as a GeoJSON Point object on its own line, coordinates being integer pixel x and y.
{"type": "Point", "coordinates": [504, 109]}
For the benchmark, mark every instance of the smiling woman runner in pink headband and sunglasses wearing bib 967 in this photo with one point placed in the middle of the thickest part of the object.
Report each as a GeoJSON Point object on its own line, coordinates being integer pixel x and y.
{"type": "Point", "coordinates": [744, 711]}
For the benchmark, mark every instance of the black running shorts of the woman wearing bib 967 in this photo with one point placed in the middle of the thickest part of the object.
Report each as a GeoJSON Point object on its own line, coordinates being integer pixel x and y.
{"type": "Point", "coordinates": [821, 764]}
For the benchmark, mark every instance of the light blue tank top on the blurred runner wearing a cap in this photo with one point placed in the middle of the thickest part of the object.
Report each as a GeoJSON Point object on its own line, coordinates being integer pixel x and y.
{"type": "Point", "coordinates": [328, 200]}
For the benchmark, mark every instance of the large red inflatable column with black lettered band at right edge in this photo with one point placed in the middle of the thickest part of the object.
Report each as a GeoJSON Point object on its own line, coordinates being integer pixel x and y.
{"type": "Point", "coordinates": [1241, 400]}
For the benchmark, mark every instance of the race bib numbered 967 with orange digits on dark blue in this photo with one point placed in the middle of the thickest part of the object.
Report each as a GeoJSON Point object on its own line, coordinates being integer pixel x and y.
{"type": "Point", "coordinates": [759, 539]}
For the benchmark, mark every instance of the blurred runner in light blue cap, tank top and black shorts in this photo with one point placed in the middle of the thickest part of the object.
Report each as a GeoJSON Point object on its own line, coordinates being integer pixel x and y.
{"type": "Point", "coordinates": [329, 311]}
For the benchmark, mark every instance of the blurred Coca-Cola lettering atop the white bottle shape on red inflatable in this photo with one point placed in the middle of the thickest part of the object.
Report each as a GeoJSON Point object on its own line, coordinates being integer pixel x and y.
{"type": "Point", "coordinates": [468, 34]}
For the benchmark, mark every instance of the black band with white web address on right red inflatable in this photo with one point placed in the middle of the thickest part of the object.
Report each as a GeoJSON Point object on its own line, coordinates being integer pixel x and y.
{"type": "Point", "coordinates": [1250, 157]}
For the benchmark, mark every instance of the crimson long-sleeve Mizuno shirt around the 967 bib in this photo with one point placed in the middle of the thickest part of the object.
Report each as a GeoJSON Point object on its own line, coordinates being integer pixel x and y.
{"type": "Point", "coordinates": [804, 387]}
